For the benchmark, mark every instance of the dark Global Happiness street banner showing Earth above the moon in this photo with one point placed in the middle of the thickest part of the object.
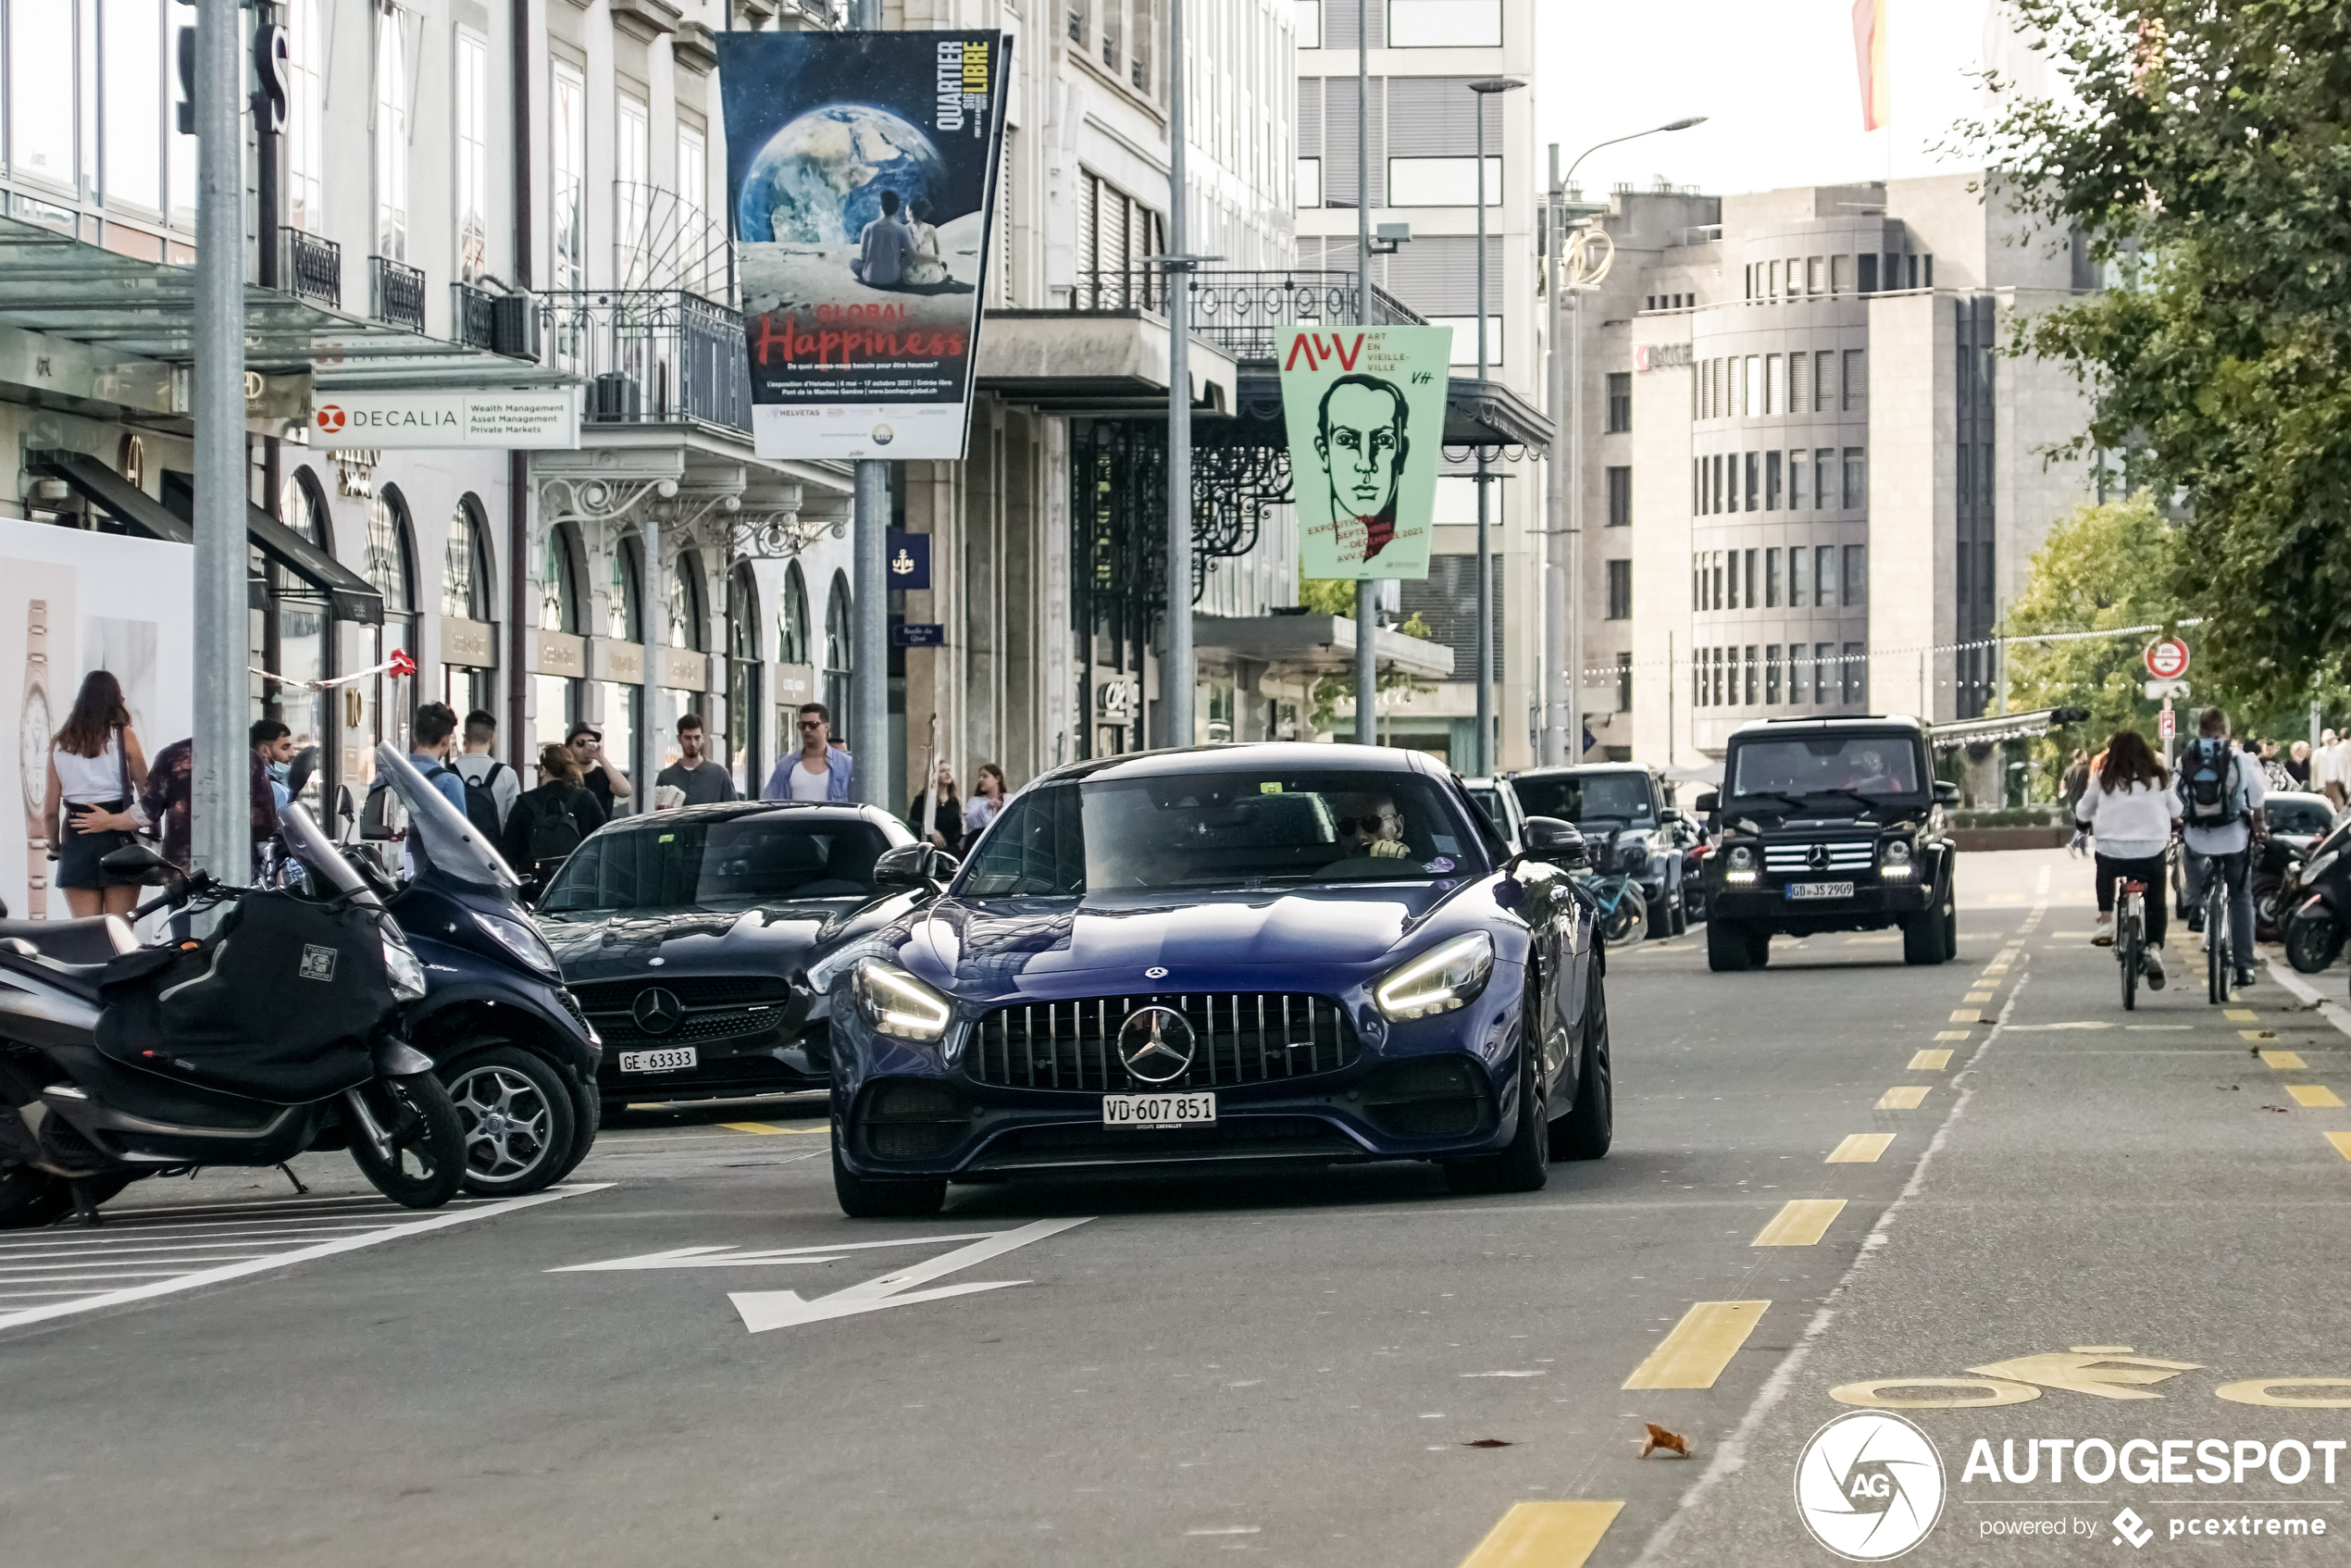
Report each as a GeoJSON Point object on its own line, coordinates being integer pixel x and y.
{"type": "Point", "coordinates": [862, 175]}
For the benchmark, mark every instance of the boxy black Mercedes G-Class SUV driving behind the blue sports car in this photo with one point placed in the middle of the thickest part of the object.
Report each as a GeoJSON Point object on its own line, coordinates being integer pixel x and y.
{"type": "Point", "coordinates": [1830, 826]}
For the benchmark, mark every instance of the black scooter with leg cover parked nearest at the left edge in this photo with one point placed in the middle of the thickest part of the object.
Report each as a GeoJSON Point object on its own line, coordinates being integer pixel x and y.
{"type": "Point", "coordinates": [281, 1033]}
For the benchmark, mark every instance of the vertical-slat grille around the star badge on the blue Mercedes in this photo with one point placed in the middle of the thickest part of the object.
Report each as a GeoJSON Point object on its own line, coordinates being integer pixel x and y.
{"type": "Point", "coordinates": [1240, 1038]}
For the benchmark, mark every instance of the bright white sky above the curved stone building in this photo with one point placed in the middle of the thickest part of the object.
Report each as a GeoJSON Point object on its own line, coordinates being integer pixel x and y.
{"type": "Point", "coordinates": [1776, 81]}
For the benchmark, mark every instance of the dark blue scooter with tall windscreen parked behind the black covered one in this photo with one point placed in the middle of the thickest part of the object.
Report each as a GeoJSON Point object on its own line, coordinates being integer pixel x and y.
{"type": "Point", "coordinates": [511, 1043]}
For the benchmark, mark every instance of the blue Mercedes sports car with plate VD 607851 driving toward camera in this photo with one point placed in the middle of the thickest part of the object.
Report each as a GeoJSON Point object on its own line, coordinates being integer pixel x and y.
{"type": "Point", "coordinates": [1214, 958]}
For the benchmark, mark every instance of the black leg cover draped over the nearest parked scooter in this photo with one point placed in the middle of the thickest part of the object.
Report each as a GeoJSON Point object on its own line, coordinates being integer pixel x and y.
{"type": "Point", "coordinates": [281, 1005]}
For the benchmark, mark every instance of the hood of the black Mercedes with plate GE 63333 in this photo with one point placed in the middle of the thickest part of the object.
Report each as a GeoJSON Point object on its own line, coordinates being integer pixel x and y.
{"type": "Point", "coordinates": [765, 939]}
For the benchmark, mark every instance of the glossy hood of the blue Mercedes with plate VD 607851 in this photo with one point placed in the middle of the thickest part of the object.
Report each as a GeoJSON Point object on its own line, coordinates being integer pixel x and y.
{"type": "Point", "coordinates": [1005, 942]}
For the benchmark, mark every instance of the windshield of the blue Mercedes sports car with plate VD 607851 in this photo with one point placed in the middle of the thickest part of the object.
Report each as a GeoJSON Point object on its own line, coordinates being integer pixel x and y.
{"type": "Point", "coordinates": [1226, 829]}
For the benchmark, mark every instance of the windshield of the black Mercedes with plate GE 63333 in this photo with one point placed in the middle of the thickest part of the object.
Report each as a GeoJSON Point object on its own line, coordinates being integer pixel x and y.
{"type": "Point", "coordinates": [685, 864]}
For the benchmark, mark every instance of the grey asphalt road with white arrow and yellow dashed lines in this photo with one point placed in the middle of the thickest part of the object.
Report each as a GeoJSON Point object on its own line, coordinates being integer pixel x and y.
{"type": "Point", "coordinates": [1348, 1369]}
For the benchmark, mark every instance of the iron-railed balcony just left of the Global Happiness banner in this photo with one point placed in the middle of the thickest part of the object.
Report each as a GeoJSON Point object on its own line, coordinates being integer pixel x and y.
{"type": "Point", "coordinates": [650, 356]}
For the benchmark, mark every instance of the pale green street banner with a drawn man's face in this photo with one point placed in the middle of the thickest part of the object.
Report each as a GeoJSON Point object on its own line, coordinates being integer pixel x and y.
{"type": "Point", "coordinates": [1367, 422]}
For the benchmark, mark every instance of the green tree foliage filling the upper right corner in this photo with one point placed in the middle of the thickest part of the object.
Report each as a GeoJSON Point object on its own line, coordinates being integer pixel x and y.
{"type": "Point", "coordinates": [2206, 154]}
